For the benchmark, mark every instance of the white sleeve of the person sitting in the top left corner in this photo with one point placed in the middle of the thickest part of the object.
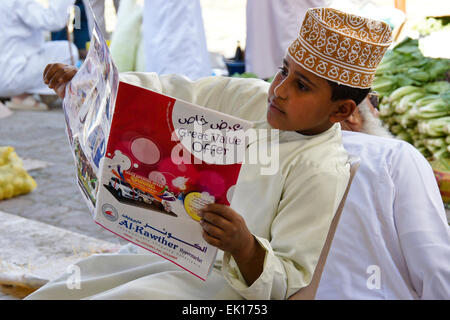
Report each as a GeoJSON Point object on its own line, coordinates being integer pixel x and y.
{"type": "Point", "coordinates": [36, 16]}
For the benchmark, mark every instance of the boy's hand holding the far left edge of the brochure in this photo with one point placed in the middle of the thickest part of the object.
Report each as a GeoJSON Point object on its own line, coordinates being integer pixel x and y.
{"type": "Point", "coordinates": [57, 75]}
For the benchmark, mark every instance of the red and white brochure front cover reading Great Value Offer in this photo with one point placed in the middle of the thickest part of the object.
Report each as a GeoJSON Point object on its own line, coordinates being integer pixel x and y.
{"type": "Point", "coordinates": [165, 159]}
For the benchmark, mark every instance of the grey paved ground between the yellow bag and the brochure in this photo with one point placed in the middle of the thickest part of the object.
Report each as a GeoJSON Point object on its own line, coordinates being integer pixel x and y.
{"type": "Point", "coordinates": [57, 200]}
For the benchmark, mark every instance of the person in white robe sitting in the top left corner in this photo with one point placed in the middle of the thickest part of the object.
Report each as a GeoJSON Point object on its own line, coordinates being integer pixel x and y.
{"type": "Point", "coordinates": [24, 53]}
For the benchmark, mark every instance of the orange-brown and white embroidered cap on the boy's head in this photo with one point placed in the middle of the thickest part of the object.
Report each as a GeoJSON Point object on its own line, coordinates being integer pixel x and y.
{"type": "Point", "coordinates": [340, 46]}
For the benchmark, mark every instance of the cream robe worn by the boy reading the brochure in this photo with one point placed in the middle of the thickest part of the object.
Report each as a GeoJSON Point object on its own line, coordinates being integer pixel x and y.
{"type": "Point", "coordinates": [289, 212]}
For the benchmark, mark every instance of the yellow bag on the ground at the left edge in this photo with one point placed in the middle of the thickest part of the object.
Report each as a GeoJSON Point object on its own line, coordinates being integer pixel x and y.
{"type": "Point", "coordinates": [14, 179]}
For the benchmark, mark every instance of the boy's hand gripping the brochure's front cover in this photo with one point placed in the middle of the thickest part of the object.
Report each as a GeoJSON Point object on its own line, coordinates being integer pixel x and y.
{"type": "Point", "coordinates": [225, 229]}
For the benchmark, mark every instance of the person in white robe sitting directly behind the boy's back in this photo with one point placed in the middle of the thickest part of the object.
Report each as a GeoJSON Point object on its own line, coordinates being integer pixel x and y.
{"type": "Point", "coordinates": [393, 239]}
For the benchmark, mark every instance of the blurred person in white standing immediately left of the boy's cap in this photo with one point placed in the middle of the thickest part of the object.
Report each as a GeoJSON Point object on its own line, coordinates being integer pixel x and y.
{"type": "Point", "coordinates": [271, 27]}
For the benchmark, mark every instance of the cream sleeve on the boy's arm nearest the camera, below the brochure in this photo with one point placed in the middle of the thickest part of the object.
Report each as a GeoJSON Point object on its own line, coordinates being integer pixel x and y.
{"type": "Point", "coordinates": [293, 250]}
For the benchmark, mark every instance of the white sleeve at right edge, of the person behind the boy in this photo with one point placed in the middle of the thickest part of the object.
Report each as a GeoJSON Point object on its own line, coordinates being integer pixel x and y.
{"type": "Point", "coordinates": [421, 225]}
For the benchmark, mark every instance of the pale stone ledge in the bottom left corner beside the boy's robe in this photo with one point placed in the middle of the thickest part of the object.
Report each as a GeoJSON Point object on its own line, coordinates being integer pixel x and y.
{"type": "Point", "coordinates": [34, 253]}
